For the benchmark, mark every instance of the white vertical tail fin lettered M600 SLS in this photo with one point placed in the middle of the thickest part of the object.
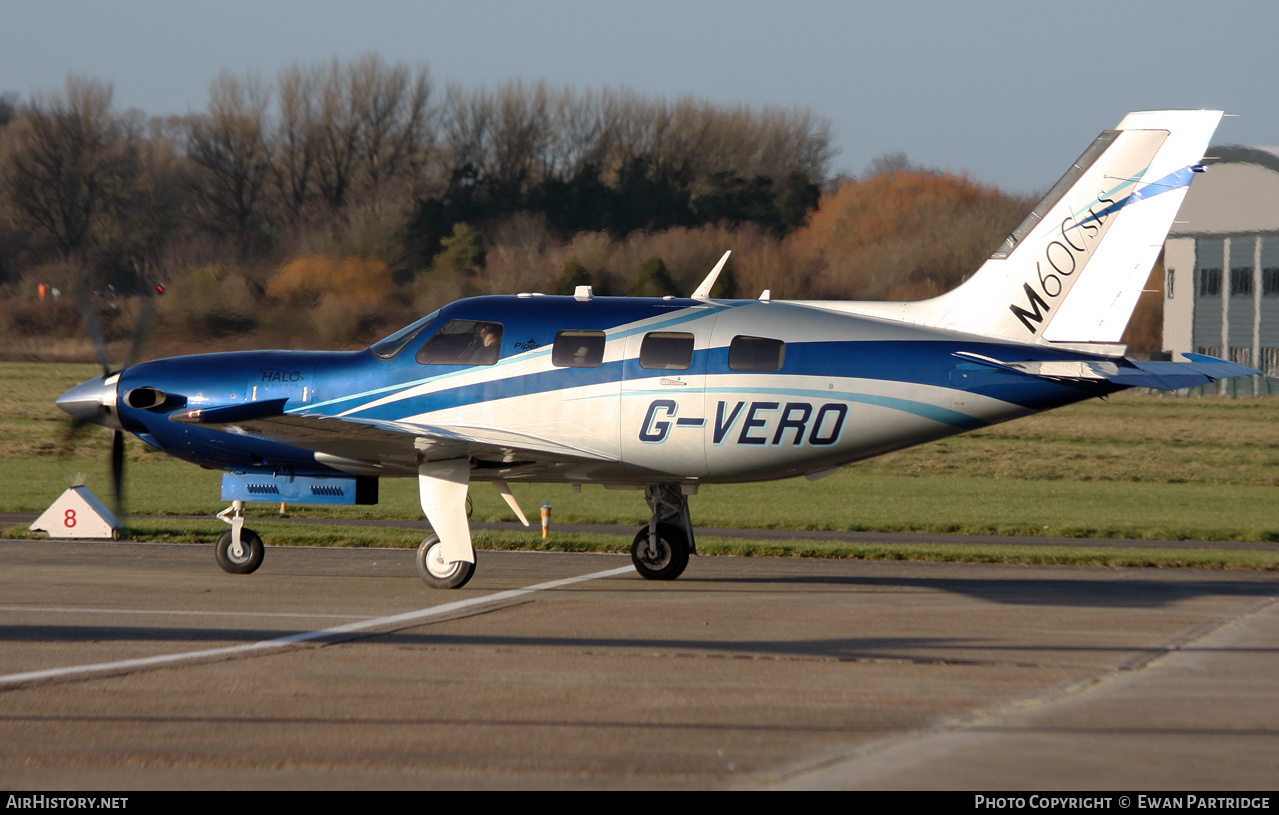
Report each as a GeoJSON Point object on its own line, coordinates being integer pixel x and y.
{"type": "Point", "coordinates": [1072, 272]}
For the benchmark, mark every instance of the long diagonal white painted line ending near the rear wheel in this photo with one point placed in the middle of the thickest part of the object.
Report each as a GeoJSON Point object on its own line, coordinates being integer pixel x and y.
{"type": "Point", "coordinates": [267, 645]}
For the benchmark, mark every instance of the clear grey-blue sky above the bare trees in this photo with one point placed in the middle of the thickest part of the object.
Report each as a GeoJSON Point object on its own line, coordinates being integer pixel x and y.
{"type": "Point", "coordinates": [1007, 93]}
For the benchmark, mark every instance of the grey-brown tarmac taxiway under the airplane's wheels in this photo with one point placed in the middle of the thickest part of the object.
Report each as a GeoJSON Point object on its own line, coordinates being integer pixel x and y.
{"type": "Point", "coordinates": [143, 666]}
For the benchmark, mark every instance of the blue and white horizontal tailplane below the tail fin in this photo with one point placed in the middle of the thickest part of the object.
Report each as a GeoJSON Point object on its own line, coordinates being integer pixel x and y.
{"type": "Point", "coordinates": [1122, 372]}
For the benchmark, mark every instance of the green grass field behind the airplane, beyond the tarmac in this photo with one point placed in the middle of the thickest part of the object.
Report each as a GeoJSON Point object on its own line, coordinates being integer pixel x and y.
{"type": "Point", "coordinates": [1136, 468]}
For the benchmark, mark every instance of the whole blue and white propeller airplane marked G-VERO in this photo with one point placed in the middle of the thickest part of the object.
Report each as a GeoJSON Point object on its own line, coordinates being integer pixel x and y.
{"type": "Point", "coordinates": [667, 395]}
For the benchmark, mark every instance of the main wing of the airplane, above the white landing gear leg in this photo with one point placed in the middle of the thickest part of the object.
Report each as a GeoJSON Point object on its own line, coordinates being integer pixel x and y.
{"type": "Point", "coordinates": [381, 446]}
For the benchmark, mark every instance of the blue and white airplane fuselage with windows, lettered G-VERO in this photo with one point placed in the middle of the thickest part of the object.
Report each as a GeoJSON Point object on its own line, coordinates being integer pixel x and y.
{"type": "Point", "coordinates": [644, 390]}
